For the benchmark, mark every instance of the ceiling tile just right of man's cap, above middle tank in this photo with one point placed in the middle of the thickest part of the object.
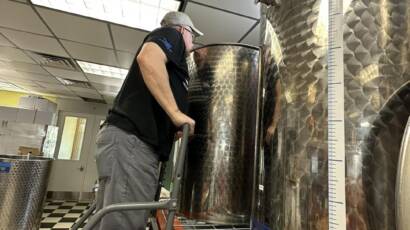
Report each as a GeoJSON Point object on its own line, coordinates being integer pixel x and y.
{"type": "Point", "coordinates": [209, 21]}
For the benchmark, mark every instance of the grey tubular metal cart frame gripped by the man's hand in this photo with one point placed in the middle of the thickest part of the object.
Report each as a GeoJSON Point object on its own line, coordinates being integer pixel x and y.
{"type": "Point", "coordinates": [170, 204]}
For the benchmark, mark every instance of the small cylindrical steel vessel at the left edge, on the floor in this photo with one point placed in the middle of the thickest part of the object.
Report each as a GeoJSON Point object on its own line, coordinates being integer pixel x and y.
{"type": "Point", "coordinates": [23, 184]}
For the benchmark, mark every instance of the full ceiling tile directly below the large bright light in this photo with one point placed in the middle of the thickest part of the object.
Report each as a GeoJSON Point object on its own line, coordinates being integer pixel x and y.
{"type": "Point", "coordinates": [77, 28]}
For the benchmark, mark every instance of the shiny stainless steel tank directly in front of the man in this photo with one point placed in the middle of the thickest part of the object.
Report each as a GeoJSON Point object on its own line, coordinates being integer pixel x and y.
{"type": "Point", "coordinates": [224, 99]}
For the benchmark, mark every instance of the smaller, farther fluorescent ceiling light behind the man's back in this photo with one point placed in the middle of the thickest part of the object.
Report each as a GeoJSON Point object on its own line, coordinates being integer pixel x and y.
{"type": "Point", "coordinates": [103, 70]}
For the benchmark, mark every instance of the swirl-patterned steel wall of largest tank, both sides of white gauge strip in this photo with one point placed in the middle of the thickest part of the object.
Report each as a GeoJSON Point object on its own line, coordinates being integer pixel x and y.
{"type": "Point", "coordinates": [377, 106]}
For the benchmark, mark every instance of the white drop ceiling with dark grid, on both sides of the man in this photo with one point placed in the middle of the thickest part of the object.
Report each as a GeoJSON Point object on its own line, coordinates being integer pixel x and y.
{"type": "Point", "coordinates": [25, 28]}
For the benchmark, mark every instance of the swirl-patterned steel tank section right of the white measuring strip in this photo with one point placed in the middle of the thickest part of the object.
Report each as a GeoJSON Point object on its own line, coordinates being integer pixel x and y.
{"type": "Point", "coordinates": [377, 68]}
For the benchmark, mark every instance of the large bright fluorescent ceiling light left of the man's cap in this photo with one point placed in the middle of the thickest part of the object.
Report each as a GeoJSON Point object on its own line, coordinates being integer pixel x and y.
{"type": "Point", "coordinates": [142, 14]}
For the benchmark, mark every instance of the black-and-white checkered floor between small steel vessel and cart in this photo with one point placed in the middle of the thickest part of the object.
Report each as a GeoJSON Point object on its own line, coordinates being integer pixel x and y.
{"type": "Point", "coordinates": [62, 214]}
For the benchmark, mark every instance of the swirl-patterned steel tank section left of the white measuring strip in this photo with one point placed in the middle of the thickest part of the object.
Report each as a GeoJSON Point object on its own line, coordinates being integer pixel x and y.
{"type": "Point", "coordinates": [293, 164]}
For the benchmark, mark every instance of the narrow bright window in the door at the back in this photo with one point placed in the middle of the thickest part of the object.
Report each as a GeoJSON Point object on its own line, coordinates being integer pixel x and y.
{"type": "Point", "coordinates": [72, 138]}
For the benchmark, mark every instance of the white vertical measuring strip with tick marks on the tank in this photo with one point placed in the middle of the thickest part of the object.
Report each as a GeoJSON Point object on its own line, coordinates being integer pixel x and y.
{"type": "Point", "coordinates": [336, 124]}
